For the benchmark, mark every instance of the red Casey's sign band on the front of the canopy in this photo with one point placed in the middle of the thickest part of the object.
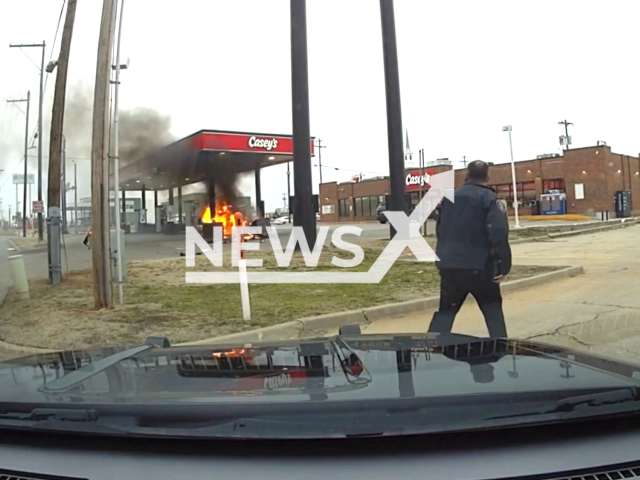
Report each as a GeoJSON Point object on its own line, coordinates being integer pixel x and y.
{"type": "Point", "coordinates": [237, 142]}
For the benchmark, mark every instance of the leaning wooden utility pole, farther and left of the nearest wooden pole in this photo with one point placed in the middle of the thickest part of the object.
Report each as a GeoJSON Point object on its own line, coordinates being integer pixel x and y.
{"type": "Point", "coordinates": [57, 115]}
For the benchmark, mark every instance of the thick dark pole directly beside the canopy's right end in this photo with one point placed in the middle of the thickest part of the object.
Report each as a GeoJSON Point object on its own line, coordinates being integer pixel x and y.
{"type": "Point", "coordinates": [304, 215]}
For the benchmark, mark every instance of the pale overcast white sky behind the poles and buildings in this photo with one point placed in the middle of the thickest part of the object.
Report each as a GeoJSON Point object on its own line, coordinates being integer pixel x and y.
{"type": "Point", "coordinates": [467, 69]}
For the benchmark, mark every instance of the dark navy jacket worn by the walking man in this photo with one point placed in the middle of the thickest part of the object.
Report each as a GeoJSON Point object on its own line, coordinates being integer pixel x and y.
{"type": "Point", "coordinates": [473, 232]}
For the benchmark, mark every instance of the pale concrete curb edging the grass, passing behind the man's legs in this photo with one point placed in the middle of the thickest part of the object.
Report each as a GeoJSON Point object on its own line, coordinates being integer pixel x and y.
{"type": "Point", "coordinates": [320, 324]}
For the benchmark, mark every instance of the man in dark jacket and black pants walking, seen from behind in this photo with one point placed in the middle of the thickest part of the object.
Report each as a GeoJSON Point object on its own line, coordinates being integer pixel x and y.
{"type": "Point", "coordinates": [473, 251]}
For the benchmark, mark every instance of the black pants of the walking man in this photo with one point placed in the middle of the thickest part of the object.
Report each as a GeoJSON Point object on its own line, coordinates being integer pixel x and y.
{"type": "Point", "coordinates": [455, 285]}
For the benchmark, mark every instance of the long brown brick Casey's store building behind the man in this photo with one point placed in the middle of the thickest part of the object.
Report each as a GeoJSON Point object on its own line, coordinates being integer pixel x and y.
{"type": "Point", "coordinates": [593, 173]}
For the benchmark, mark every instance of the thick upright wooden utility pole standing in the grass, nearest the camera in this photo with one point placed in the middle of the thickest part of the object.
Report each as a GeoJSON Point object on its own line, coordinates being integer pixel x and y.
{"type": "Point", "coordinates": [101, 271]}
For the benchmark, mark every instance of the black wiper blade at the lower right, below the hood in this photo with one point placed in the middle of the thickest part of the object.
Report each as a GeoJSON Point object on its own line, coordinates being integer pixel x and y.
{"type": "Point", "coordinates": [620, 400]}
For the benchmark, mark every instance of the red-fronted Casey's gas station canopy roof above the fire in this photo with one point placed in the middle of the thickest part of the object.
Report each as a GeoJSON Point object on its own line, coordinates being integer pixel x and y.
{"type": "Point", "coordinates": [191, 159]}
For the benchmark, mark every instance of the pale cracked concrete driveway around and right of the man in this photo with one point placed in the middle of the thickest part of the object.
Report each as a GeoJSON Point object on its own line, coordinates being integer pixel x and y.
{"type": "Point", "coordinates": [598, 310]}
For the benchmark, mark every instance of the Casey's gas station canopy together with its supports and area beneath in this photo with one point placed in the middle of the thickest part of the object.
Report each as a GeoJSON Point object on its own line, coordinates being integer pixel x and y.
{"type": "Point", "coordinates": [210, 156]}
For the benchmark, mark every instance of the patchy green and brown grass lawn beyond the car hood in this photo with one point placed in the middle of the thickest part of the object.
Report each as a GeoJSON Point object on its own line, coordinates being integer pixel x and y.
{"type": "Point", "coordinates": [158, 302]}
